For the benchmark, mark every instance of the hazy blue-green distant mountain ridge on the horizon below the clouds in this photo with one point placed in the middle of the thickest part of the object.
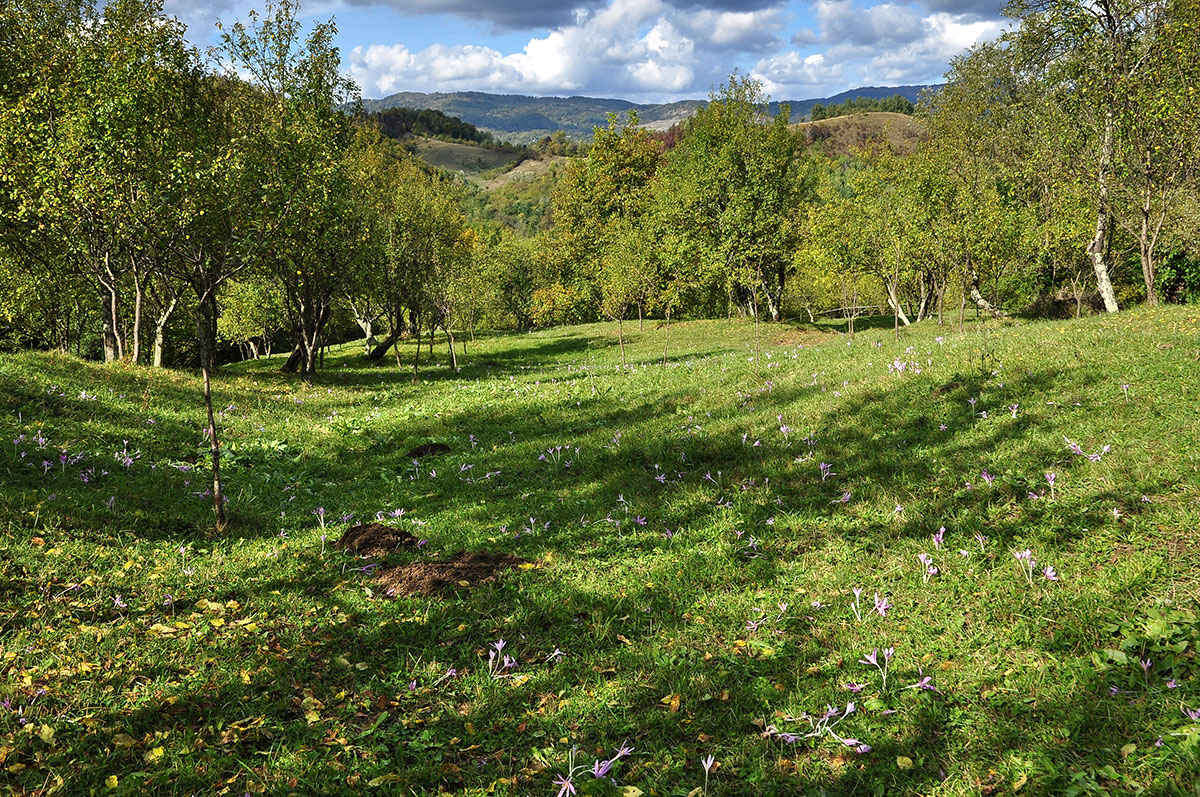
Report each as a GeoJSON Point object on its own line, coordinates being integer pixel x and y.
{"type": "Point", "coordinates": [524, 119]}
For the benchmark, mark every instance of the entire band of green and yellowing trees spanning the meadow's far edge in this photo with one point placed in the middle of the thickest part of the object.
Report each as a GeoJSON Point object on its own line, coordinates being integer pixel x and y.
{"type": "Point", "coordinates": [165, 208]}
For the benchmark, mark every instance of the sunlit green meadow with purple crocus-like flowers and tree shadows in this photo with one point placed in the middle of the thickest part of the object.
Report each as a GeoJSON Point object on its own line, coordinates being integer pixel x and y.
{"type": "Point", "coordinates": [141, 654]}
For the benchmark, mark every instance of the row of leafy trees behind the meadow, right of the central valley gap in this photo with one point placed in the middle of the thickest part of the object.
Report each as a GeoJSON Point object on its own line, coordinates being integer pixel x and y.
{"type": "Point", "coordinates": [1060, 170]}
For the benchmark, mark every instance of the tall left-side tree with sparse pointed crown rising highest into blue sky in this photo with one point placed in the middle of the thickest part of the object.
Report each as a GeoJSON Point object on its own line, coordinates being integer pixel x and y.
{"type": "Point", "coordinates": [302, 135]}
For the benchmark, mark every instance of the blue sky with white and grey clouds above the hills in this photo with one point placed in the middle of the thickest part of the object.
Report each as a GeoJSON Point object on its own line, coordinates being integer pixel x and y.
{"type": "Point", "coordinates": [645, 51]}
